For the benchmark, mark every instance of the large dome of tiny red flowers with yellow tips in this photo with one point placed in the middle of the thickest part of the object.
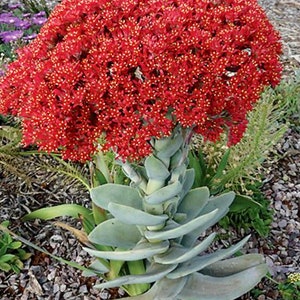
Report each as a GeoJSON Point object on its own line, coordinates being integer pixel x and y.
{"type": "Point", "coordinates": [133, 69]}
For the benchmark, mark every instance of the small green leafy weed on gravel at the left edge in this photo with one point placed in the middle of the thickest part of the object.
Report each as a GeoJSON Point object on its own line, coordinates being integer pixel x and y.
{"type": "Point", "coordinates": [11, 254]}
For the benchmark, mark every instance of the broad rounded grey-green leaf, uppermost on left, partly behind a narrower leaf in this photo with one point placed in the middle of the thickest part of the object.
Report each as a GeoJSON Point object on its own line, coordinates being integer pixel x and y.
{"type": "Point", "coordinates": [116, 193]}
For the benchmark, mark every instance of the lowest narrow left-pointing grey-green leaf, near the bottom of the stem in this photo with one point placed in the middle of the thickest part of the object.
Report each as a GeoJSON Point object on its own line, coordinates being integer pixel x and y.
{"type": "Point", "coordinates": [154, 273]}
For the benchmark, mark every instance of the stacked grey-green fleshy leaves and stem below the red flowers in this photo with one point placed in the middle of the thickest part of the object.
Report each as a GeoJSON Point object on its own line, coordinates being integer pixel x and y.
{"type": "Point", "coordinates": [156, 222]}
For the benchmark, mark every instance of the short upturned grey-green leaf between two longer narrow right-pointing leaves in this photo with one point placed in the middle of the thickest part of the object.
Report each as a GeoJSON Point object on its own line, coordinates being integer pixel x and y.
{"type": "Point", "coordinates": [176, 254]}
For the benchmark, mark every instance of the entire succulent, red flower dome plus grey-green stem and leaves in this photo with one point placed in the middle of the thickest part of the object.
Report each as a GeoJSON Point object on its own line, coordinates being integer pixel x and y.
{"type": "Point", "coordinates": [143, 76]}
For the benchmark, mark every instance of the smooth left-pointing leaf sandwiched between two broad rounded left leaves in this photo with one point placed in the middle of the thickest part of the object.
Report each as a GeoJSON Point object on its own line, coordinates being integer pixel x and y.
{"type": "Point", "coordinates": [130, 215]}
